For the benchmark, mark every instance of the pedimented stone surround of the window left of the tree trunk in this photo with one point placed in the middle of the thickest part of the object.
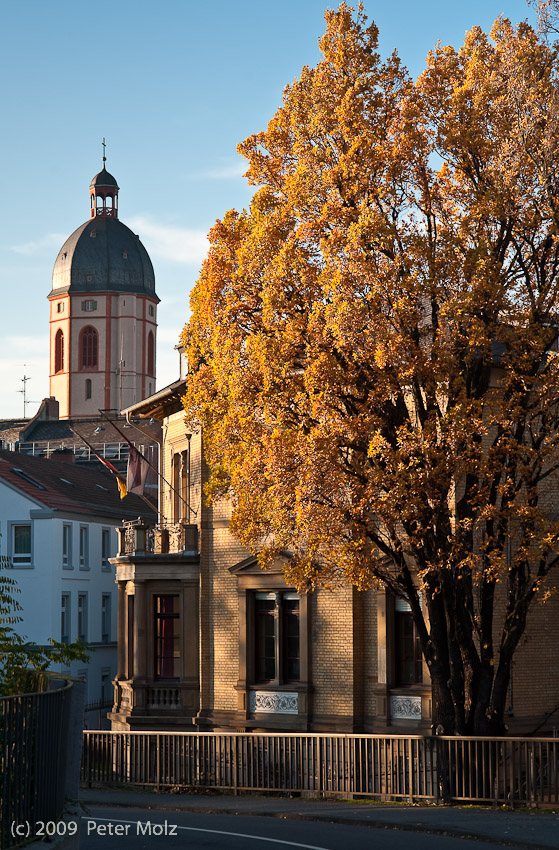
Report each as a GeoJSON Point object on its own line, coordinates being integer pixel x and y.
{"type": "Point", "coordinates": [251, 579]}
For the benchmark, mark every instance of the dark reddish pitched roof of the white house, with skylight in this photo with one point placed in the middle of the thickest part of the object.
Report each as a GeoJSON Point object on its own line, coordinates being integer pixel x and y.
{"type": "Point", "coordinates": [69, 487]}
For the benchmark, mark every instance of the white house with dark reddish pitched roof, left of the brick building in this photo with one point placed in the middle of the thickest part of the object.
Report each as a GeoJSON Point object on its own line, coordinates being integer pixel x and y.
{"type": "Point", "coordinates": [60, 545]}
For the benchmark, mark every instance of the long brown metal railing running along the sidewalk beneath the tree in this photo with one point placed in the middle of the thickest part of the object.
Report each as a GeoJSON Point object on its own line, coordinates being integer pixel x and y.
{"type": "Point", "coordinates": [513, 771]}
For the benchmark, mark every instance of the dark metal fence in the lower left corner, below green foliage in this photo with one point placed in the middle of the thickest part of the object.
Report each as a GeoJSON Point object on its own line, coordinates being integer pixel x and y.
{"type": "Point", "coordinates": [32, 759]}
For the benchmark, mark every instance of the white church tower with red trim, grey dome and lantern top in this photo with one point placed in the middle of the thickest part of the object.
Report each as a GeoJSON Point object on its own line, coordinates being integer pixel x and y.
{"type": "Point", "coordinates": [102, 313]}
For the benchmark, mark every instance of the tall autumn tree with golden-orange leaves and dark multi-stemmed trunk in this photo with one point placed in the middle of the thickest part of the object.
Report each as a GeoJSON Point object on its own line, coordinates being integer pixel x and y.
{"type": "Point", "coordinates": [372, 344]}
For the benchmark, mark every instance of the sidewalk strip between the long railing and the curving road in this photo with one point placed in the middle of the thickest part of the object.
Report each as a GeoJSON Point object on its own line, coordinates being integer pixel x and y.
{"type": "Point", "coordinates": [538, 829]}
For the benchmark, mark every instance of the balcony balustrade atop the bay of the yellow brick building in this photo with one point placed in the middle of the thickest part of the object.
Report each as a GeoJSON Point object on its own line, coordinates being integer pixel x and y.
{"type": "Point", "coordinates": [138, 538]}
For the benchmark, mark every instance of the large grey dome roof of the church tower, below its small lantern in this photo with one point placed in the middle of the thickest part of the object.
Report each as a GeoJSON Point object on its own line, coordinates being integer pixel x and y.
{"type": "Point", "coordinates": [103, 255]}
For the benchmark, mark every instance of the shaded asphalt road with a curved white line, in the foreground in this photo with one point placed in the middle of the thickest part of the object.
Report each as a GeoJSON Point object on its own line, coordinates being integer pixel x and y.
{"type": "Point", "coordinates": [138, 829]}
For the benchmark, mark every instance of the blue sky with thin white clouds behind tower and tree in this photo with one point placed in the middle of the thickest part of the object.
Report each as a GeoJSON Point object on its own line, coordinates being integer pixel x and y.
{"type": "Point", "coordinates": [173, 87]}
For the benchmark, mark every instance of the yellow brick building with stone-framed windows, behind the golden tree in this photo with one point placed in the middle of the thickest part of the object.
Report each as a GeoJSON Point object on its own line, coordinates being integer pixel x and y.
{"type": "Point", "coordinates": [207, 639]}
